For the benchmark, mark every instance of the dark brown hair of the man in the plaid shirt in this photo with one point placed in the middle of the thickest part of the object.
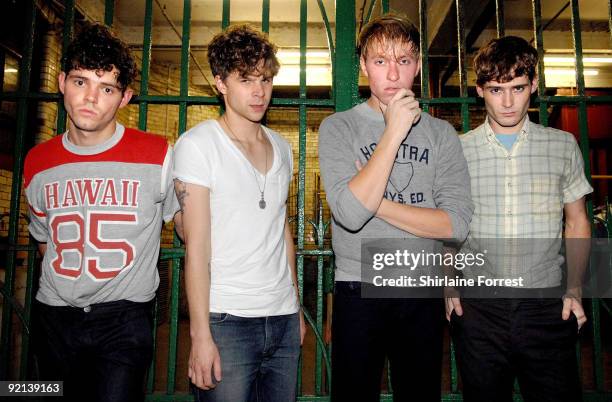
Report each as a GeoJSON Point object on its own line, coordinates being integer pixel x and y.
{"type": "Point", "coordinates": [504, 59]}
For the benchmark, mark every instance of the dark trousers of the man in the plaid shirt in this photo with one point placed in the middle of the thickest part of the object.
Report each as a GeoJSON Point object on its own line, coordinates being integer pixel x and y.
{"type": "Point", "coordinates": [498, 340]}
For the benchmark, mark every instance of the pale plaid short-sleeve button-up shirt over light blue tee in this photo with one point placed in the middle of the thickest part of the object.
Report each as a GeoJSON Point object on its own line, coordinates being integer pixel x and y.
{"type": "Point", "coordinates": [520, 193]}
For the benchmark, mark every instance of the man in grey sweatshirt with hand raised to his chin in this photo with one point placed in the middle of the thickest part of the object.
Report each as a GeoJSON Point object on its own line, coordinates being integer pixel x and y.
{"type": "Point", "coordinates": [389, 171]}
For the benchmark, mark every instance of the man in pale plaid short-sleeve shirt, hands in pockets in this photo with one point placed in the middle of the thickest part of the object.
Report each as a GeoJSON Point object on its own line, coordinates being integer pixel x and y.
{"type": "Point", "coordinates": [525, 178]}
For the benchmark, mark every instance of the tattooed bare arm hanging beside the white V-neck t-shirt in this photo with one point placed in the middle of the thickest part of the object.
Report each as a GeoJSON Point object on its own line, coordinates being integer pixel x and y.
{"type": "Point", "coordinates": [204, 357]}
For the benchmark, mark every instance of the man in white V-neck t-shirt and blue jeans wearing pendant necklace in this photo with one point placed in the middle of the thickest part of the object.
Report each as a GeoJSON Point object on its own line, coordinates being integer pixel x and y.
{"type": "Point", "coordinates": [232, 177]}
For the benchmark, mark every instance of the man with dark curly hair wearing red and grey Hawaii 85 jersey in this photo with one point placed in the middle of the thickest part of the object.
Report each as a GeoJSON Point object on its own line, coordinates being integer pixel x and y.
{"type": "Point", "coordinates": [97, 196]}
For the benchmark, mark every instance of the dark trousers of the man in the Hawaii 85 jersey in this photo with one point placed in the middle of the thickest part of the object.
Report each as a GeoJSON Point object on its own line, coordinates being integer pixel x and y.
{"type": "Point", "coordinates": [101, 354]}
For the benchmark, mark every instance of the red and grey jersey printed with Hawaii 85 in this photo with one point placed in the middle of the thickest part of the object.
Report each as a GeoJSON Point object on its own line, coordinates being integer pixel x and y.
{"type": "Point", "coordinates": [100, 211]}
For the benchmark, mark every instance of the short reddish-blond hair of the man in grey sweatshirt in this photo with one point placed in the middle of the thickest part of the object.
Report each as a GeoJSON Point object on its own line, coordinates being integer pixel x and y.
{"type": "Point", "coordinates": [389, 27]}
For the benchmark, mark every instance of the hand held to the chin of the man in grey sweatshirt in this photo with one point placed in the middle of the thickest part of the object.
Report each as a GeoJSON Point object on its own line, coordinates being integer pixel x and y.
{"type": "Point", "coordinates": [401, 113]}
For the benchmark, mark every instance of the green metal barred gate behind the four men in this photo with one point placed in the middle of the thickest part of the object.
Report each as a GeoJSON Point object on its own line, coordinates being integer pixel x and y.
{"type": "Point", "coordinates": [344, 94]}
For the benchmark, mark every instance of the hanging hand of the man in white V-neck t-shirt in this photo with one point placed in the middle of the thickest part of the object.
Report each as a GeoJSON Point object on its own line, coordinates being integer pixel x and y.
{"type": "Point", "coordinates": [204, 360]}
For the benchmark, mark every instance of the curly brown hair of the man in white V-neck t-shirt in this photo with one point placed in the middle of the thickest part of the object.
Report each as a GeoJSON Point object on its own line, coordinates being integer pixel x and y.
{"type": "Point", "coordinates": [242, 48]}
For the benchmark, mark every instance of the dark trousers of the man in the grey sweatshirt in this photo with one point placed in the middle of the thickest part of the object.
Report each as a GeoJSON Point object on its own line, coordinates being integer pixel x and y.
{"type": "Point", "coordinates": [365, 331]}
